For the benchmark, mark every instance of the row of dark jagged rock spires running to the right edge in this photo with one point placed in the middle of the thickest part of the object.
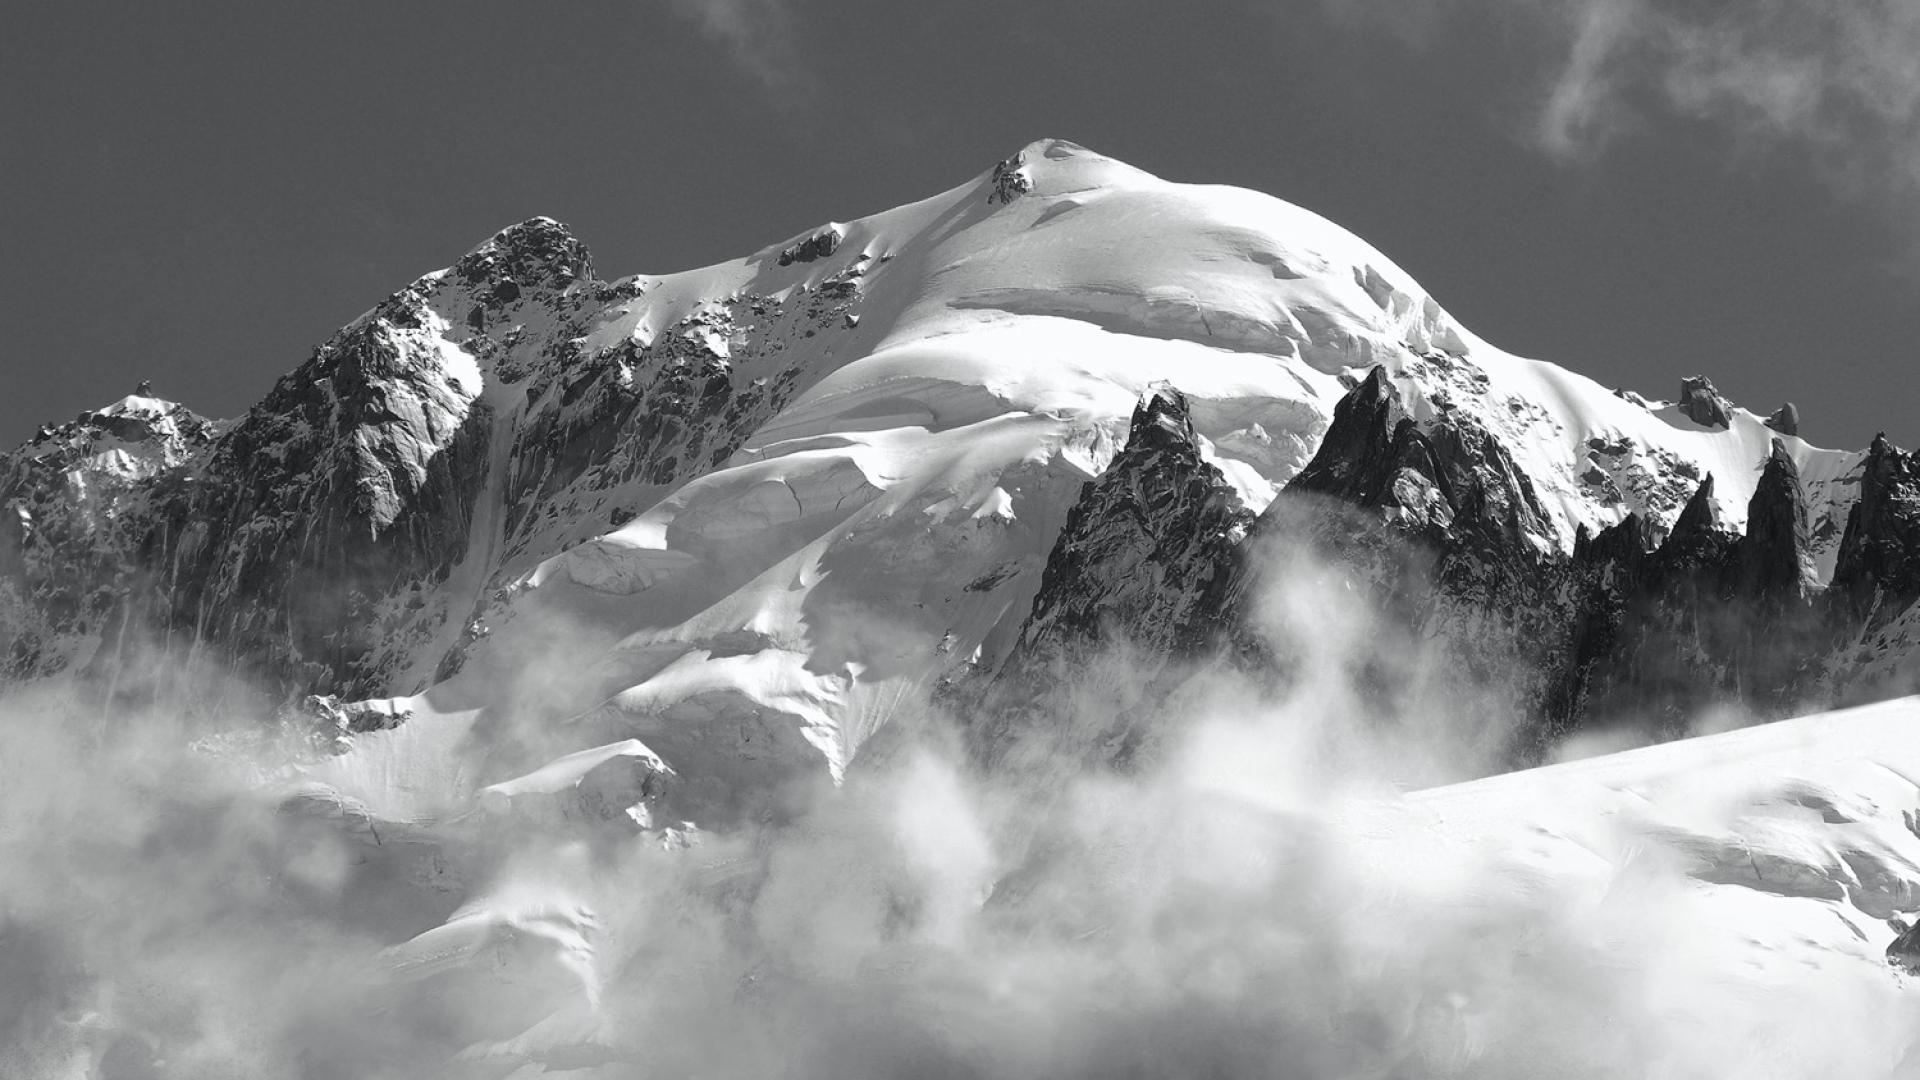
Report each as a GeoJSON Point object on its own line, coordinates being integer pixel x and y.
{"type": "Point", "coordinates": [1443, 535]}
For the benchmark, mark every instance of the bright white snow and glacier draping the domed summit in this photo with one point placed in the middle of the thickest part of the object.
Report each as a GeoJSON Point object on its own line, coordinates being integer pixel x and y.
{"type": "Point", "coordinates": [782, 606]}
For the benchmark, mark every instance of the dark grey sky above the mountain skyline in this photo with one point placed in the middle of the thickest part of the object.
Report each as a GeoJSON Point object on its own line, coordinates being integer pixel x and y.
{"type": "Point", "coordinates": [199, 195]}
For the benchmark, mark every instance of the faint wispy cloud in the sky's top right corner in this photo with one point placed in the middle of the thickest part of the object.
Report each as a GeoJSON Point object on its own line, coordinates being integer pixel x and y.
{"type": "Point", "coordinates": [1836, 82]}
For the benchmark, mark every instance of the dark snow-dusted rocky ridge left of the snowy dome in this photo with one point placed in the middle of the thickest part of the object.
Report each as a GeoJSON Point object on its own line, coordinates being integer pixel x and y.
{"type": "Point", "coordinates": [302, 543]}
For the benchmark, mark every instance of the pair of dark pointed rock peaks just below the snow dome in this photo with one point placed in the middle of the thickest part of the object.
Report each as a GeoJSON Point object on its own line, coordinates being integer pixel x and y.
{"type": "Point", "coordinates": [1433, 528]}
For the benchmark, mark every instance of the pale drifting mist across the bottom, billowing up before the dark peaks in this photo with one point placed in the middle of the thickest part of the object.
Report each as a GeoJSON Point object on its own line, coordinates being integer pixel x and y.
{"type": "Point", "coordinates": [1253, 896]}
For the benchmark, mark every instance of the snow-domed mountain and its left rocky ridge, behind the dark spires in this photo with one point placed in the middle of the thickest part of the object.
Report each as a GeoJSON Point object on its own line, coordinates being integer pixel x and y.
{"type": "Point", "coordinates": [731, 479]}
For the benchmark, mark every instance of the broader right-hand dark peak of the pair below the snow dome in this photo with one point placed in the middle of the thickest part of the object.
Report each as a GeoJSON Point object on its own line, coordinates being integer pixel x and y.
{"type": "Point", "coordinates": [1441, 539]}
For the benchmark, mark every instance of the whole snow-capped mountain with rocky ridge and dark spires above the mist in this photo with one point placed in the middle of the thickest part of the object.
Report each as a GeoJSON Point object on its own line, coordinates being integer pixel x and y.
{"type": "Point", "coordinates": [525, 549]}
